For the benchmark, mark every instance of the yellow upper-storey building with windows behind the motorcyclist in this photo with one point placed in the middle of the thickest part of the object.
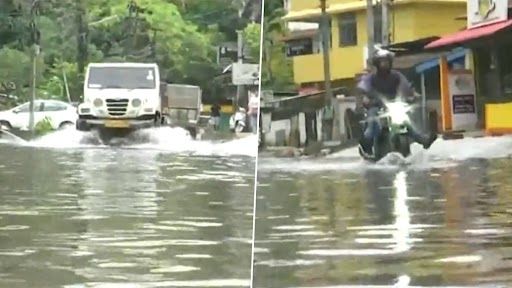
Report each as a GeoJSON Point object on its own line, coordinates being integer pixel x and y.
{"type": "Point", "coordinates": [409, 20]}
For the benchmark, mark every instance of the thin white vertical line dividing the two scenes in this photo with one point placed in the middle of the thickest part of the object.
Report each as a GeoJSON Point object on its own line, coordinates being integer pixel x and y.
{"type": "Point", "coordinates": [257, 146]}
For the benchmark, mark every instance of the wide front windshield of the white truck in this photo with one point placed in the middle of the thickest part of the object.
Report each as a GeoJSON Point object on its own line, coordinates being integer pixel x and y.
{"type": "Point", "coordinates": [122, 77]}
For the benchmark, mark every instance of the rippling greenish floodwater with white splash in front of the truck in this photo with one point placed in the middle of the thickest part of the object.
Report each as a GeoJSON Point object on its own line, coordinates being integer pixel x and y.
{"type": "Point", "coordinates": [170, 213]}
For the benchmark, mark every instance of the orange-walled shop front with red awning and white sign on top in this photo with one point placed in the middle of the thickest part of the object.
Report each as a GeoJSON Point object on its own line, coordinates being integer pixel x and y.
{"type": "Point", "coordinates": [479, 97]}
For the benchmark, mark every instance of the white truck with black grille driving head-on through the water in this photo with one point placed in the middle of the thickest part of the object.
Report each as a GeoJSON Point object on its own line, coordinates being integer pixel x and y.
{"type": "Point", "coordinates": [120, 98]}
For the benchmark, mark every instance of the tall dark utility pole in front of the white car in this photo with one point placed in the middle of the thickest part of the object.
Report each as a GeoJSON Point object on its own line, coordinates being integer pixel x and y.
{"type": "Point", "coordinates": [35, 39]}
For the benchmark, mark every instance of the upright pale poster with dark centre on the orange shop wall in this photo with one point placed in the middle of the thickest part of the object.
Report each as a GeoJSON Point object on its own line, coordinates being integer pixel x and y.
{"type": "Point", "coordinates": [463, 100]}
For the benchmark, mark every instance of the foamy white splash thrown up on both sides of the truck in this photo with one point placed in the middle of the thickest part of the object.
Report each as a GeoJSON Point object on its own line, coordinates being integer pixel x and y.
{"type": "Point", "coordinates": [172, 140]}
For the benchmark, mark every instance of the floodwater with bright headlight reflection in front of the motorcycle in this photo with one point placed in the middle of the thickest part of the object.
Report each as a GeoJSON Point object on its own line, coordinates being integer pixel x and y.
{"type": "Point", "coordinates": [442, 218]}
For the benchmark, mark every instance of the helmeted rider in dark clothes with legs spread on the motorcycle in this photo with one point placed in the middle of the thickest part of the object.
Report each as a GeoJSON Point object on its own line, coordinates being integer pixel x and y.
{"type": "Point", "coordinates": [385, 84]}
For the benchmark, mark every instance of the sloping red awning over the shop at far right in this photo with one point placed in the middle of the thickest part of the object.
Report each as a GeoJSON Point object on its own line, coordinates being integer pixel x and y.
{"type": "Point", "coordinates": [469, 34]}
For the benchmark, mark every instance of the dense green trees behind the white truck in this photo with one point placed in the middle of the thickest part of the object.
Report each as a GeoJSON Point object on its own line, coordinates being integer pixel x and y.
{"type": "Point", "coordinates": [180, 35]}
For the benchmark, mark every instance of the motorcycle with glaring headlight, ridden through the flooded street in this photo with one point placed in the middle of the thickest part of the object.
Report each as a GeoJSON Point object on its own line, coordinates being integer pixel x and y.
{"type": "Point", "coordinates": [394, 133]}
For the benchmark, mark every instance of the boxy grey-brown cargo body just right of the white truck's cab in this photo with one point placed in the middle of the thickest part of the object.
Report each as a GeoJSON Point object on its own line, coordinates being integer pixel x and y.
{"type": "Point", "coordinates": [181, 106]}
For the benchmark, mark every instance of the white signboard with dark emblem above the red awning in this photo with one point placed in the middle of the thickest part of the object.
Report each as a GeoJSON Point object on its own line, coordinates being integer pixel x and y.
{"type": "Point", "coordinates": [484, 12]}
